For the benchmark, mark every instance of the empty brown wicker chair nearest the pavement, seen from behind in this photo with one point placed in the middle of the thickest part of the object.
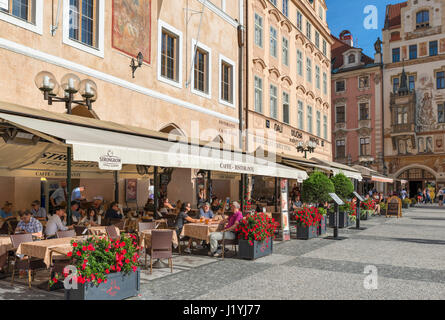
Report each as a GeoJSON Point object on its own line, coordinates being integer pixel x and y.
{"type": "Point", "coordinates": [161, 247]}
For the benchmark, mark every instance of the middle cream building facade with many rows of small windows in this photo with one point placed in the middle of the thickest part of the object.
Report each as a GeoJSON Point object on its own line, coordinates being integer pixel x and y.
{"type": "Point", "coordinates": [288, 75]}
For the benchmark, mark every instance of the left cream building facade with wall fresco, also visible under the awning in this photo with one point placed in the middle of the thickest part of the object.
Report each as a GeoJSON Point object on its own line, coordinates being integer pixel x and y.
{"type": "Point", "coordinates": [187, 83]}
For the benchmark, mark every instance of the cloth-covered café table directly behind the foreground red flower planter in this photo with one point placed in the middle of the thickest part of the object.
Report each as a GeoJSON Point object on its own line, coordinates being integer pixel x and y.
{"type": "Point", "coordinates": [47, 249]}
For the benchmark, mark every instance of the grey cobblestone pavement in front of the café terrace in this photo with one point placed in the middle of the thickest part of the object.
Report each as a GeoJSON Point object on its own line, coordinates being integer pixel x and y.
{"type": "Point", "coordinates": [408, 254]}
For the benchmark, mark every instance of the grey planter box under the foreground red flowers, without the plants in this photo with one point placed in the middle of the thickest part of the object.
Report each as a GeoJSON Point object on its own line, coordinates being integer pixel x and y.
{"type": "Point", "coordinates": [119, 286]}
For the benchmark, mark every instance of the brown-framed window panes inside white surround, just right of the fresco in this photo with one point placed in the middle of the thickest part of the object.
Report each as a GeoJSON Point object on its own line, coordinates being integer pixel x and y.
{"type": "Point", "coordinates": [169, 56]}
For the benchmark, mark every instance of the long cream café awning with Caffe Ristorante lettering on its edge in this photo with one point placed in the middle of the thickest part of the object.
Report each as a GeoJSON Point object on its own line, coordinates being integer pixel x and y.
{"type": "Point", "coordinates": [111, 149]}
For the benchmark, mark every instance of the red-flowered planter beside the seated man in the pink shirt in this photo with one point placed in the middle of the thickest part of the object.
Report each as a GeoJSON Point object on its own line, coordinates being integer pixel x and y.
{"type": "Point", "coordinates": [255, 233]}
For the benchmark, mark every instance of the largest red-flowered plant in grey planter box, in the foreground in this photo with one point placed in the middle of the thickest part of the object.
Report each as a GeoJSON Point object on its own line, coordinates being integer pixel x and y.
{"type": "Point", "coordinates": [106, 269]}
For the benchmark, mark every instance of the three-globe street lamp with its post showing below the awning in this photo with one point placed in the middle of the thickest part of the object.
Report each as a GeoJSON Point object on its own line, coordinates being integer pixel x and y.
{"type": "Point", "coordinates": [69, 86]}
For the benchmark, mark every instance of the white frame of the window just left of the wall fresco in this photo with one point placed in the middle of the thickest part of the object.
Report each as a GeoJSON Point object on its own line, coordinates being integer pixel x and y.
{"type": "Point", "coordinates": [100, 32]}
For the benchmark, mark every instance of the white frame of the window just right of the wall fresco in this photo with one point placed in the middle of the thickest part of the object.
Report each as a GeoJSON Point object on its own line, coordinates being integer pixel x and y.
{"type": "Point", "coordinates": [170, 29]}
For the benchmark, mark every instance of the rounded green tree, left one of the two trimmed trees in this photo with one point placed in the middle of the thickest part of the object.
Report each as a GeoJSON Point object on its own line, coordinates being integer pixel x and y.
{"type": "Point", "coordinates": [316, 188]}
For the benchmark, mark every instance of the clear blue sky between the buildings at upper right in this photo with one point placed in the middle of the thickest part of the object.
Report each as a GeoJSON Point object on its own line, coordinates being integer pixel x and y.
{"type": "Point", "coordinates": [348, 15]}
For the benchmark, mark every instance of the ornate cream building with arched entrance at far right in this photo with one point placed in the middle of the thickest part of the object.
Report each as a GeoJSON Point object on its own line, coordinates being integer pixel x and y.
{"type": "Point", "coordinates": [414, 101]}
